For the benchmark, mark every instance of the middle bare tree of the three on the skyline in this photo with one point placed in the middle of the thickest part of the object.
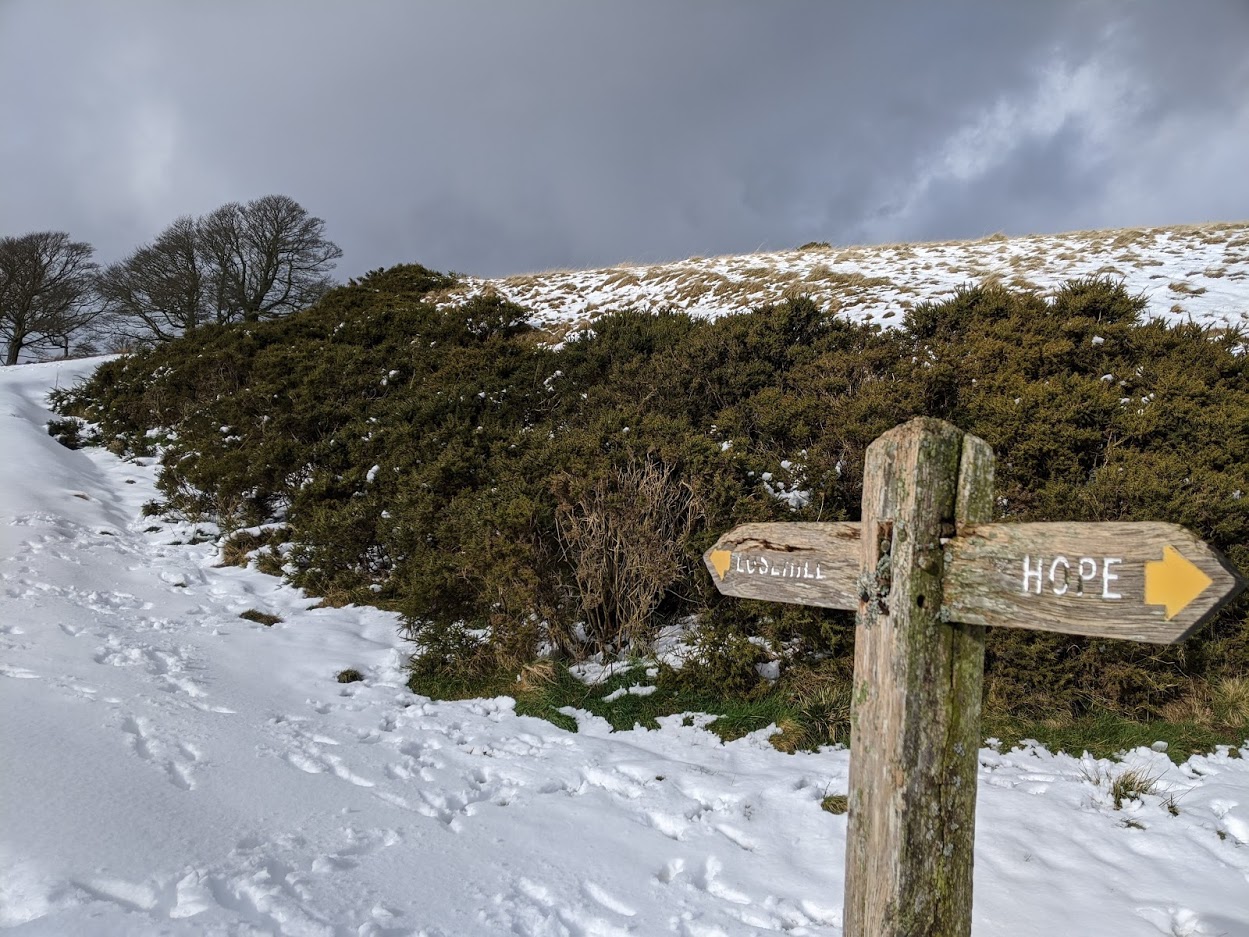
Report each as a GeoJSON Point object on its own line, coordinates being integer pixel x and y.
{"type": "Point", "coordinates": [162, 290]}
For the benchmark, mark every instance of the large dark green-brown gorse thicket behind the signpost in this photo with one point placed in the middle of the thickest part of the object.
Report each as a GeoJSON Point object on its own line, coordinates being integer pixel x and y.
{"type": "Point", "coordinates": [508, 497]}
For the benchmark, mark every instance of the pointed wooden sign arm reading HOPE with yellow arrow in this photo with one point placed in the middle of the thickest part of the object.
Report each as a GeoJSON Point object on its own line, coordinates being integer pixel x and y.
{"type": "Point", "coordinates": [1080, 579]}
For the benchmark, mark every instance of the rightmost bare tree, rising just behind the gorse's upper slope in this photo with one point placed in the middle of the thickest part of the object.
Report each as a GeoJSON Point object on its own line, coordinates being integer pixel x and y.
{"type": "Point", "coordinates": [267, 258]}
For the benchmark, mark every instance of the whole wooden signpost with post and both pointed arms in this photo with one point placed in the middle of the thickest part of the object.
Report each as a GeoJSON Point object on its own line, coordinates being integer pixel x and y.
{"type": "Point", "coordinates": [927, 572]}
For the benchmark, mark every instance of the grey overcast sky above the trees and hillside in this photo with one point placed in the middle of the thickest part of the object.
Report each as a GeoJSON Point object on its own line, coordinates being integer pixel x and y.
{"type": "Point", "coordinates": [511, 136]}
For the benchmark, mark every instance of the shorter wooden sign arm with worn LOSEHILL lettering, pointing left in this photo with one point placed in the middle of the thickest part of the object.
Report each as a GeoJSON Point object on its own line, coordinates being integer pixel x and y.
{"type": "Point", "coordinates": [806, 564]}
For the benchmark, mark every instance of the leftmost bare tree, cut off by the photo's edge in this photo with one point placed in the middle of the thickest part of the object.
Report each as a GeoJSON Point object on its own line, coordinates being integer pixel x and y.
{"type": "Point", "coordinates": [47, 292]}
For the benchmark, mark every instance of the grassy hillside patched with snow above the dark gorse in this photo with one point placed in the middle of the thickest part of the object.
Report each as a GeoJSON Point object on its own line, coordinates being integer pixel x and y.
{"type": "Point", "coordinates": [1192, 272]}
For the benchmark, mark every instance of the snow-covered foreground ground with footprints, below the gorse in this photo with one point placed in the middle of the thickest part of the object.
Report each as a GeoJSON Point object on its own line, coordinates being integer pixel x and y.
{"type": "Point", "coordinates": [170, 769]}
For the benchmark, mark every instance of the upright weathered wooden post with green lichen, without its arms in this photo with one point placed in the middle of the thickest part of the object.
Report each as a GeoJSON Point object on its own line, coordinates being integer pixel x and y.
{"type": "Point", "coordinates": [915, 714]}
